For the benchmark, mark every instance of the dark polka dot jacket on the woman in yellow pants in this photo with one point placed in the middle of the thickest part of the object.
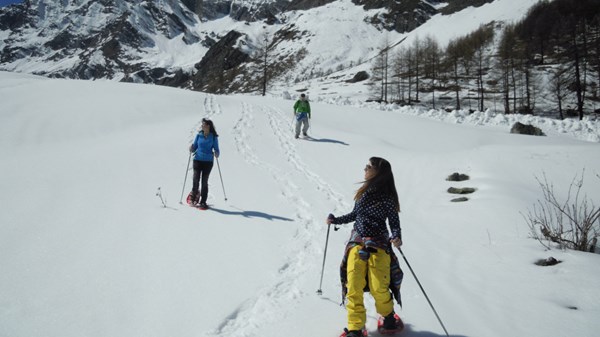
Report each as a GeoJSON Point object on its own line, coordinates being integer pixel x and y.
{"type": "Point", "coordinates": [369, 215]}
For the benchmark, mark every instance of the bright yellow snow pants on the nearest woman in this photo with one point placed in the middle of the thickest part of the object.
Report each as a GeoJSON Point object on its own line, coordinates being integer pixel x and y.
{"type": "Point", "coordinates": [377, 270]}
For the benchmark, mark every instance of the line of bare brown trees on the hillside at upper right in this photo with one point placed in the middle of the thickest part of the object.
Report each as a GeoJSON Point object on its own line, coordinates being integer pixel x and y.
{"type": "Point", "coordinates": [555, 49]}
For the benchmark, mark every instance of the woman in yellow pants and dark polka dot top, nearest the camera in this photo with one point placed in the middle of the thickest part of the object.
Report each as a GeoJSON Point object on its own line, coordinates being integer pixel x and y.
{"type": "Point", "coordinates": [369, 252]}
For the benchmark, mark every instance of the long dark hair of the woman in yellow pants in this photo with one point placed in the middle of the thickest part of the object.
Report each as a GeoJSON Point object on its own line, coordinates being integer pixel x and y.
{"type": "Point", "coordinates": [382, 182]}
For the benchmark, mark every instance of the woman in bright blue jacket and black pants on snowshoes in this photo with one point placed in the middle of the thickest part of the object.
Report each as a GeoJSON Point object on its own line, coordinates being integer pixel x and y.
{"type": "Point", "coordinates": [205, 147]}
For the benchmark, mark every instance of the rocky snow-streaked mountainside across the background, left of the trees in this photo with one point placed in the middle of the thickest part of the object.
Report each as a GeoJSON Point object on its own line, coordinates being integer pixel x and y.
{"type": "Point", "coordinates": [217, 46]}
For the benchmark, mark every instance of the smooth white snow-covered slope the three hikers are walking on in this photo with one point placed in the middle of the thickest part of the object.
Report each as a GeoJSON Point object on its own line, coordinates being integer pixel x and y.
{"type": "Point", "coordinates": [87, 248]}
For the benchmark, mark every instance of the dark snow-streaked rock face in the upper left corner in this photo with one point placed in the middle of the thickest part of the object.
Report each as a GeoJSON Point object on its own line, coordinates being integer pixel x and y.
{"type": "Point", "coordinates": [93, 38]}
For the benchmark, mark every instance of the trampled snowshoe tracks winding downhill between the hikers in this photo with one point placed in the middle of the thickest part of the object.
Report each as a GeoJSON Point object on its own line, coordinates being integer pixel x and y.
{"type": "Point", "coordinates": [275, 300]}
